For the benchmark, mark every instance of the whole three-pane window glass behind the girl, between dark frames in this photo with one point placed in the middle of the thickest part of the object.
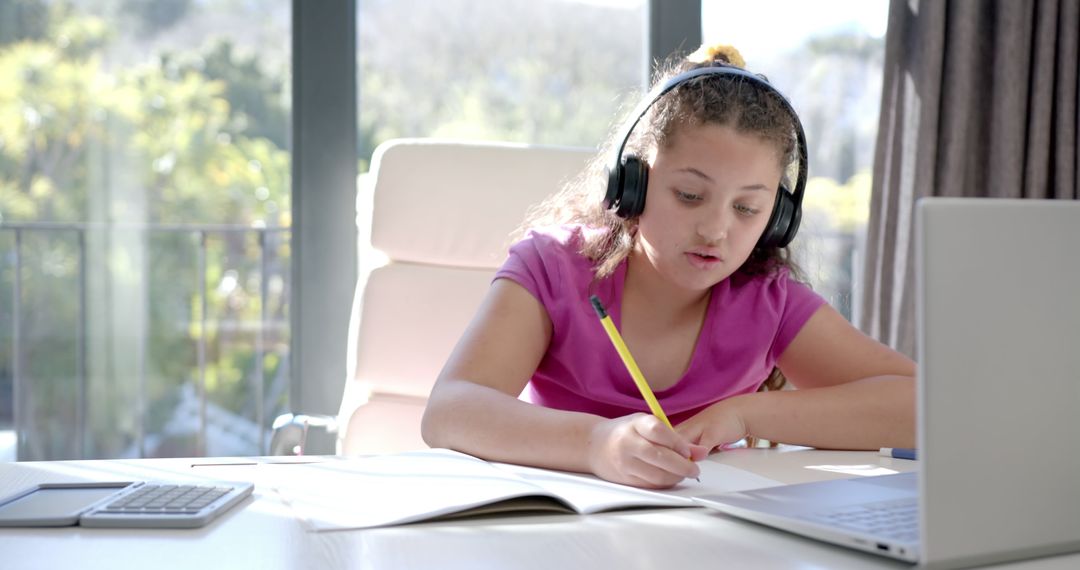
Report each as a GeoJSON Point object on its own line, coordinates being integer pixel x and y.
{"type": "Point", "coordinates": [145, 173]}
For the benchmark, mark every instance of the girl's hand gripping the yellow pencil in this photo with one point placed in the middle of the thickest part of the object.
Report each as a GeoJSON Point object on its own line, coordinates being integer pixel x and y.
{"type": "Point", "coordinates": [642, 452]}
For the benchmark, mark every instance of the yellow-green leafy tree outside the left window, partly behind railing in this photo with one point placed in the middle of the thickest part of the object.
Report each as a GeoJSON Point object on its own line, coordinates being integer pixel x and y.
{"type": "Point", "coordinates": [157, 144]}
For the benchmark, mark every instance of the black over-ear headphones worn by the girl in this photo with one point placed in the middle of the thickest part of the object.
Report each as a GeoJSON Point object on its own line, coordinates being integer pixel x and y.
{"type": "Point", "coordinates": [629, 175]}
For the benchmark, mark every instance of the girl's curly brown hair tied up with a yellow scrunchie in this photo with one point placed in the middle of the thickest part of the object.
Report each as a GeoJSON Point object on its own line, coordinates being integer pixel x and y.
{"type": "Point", "coordinates": [721, 100]}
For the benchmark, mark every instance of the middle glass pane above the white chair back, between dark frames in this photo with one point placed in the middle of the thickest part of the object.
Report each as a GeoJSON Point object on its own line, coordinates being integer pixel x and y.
{"type": "Point", "coordinates": [474, 70]}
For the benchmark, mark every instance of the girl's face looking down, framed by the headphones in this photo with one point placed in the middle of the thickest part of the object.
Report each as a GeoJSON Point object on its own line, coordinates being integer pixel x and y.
{"type": "Point", "coordinates": [710, 196]}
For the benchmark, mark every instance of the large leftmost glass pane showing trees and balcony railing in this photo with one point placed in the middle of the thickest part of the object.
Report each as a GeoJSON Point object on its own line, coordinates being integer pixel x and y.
{"type": "Point", "coordinates": [144, 161]}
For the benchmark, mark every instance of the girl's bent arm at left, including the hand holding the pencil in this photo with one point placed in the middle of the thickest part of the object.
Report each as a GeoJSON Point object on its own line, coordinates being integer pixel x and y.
{"type": "Point", "coordinates": [475, 408]}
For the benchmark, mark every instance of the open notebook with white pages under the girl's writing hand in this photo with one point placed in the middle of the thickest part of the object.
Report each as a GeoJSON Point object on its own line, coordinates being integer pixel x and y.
{"type": "Point", "coordinates": [439, 484]}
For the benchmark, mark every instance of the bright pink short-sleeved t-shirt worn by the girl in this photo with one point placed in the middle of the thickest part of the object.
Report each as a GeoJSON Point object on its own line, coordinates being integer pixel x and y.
{"type": "Point", "coordinates": [750, 322]}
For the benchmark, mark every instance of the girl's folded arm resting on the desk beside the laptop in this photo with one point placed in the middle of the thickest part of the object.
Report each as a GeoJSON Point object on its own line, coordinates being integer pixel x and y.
{"type": "Point", "coordinates": [854, 393]}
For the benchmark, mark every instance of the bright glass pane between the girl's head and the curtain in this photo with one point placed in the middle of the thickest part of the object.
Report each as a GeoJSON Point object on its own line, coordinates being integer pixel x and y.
{"type": "Point", "coordinates": [827, 57]}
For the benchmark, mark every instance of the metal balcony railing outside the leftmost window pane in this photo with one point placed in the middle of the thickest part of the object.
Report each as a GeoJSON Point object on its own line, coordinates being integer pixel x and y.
{"type": "Point", "coordinates": [192, 397]}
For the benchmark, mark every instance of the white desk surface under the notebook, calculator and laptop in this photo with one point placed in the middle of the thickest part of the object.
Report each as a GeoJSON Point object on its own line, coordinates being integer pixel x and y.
{"type": "Point", "coordinates": [262, 533]}
